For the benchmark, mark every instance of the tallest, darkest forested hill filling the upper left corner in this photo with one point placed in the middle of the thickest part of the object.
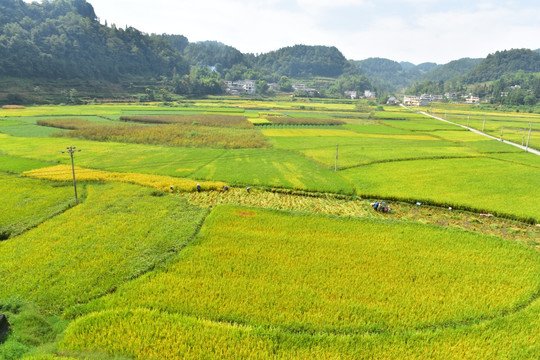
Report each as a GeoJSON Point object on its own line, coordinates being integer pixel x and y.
{"type": "Point", "coordinates": [63, 39]}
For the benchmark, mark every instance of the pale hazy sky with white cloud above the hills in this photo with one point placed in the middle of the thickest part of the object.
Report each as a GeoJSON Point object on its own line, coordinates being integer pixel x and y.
{"type": "Point", "coordinates": [405, 30]}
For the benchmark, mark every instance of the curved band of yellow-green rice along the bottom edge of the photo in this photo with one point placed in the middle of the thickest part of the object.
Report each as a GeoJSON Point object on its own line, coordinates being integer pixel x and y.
{"type": "Point", "coordinates": [144, 334]}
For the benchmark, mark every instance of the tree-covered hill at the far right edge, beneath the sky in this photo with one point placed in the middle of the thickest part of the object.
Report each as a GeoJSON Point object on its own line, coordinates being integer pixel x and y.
{"type": "Point", "coordinates": [504, 62]}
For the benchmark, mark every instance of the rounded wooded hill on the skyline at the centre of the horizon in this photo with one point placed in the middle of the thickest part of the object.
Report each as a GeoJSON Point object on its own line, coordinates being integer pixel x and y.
{"type": "Point", "coordinates": [303, 61]}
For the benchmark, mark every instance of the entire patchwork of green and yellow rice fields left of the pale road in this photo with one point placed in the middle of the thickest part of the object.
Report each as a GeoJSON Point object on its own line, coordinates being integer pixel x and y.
{"type": "Point", "coordinates": [191, 241]}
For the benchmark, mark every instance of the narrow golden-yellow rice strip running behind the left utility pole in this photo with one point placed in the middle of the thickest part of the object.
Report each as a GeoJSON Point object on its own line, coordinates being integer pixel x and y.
{"type": "Point", "coordinates": [163, 183]}
